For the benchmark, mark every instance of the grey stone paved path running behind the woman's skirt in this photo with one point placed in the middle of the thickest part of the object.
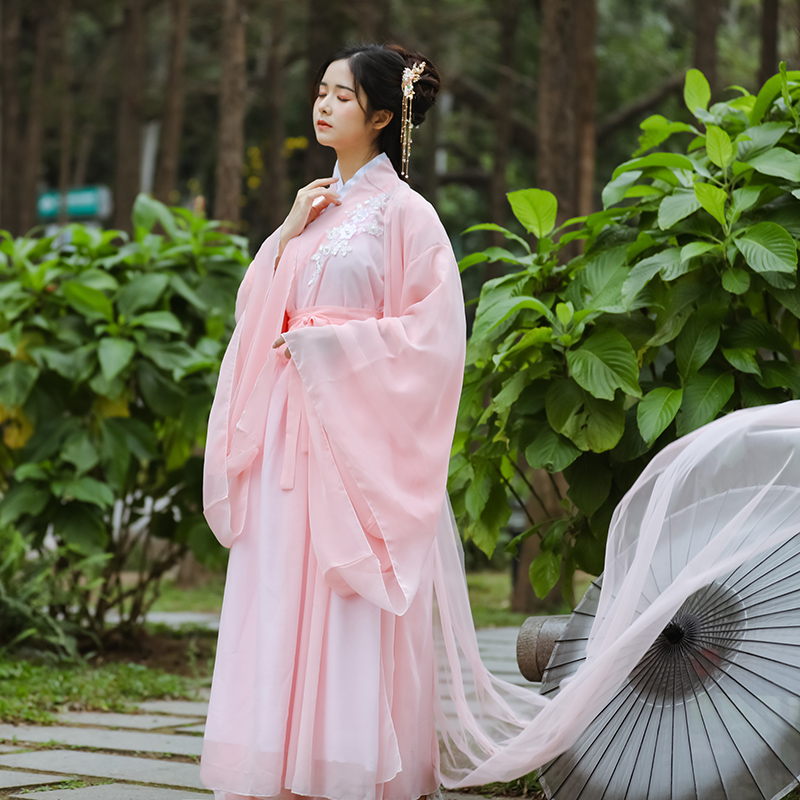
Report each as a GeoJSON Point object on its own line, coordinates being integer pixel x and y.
{"type": "Point", "coordinates": [147, 756]}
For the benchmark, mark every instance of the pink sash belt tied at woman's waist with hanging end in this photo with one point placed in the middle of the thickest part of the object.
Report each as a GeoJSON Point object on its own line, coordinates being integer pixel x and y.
{"type": "Point", "coordinates": [305, 317]}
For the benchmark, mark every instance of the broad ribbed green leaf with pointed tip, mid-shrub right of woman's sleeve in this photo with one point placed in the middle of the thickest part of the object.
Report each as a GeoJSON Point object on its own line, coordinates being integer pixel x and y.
{"type": "Point", "coordinates": [604, 363]}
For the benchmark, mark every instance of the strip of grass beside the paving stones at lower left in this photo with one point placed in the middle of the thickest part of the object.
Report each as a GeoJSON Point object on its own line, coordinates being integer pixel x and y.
{"type": "Point", "coordinates": [35, 692]}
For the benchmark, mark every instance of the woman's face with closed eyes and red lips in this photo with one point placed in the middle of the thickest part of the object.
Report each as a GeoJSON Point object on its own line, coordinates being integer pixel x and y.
{"type": "Point", "coordinates": [339, 119]}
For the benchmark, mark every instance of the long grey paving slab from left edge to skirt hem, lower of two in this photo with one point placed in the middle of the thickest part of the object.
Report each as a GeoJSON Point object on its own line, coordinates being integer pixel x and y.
{"type": "Point", "coordinates": [102, 765]}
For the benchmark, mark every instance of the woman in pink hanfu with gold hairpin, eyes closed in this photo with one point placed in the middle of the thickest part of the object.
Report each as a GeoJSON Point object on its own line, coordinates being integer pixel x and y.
{"type": "Point", "coordinates": [326, 467]}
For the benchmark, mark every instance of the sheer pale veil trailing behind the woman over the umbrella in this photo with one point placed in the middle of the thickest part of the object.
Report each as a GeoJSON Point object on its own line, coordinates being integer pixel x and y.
{"type": "Point", "coordinates": [705, 505]}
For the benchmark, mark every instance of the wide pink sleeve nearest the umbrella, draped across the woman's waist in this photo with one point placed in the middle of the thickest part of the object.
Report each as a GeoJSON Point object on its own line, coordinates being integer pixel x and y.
{"type": "Point", "coordinates": [381, 397]}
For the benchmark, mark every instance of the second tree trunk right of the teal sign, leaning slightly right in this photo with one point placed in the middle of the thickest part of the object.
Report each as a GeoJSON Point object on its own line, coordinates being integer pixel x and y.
{"type": "Point", "coordinates": [167, 172]}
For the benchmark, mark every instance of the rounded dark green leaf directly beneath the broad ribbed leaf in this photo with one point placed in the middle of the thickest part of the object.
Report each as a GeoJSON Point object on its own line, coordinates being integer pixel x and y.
{"type": "Point", "coordinates": [591, 423]}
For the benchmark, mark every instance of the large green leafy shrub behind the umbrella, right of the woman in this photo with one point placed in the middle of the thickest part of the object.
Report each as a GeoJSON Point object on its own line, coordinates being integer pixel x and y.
{"type": "Point", "coordinates": [683, 306]}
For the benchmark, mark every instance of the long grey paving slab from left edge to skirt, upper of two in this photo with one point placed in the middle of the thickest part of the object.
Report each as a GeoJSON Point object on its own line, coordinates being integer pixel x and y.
{"type": "Point", "coordinates": [106, 739]}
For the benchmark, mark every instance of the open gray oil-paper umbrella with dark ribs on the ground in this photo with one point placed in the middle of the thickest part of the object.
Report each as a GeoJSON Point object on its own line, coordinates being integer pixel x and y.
{"type": "Point", "coordinates": [712, 710]}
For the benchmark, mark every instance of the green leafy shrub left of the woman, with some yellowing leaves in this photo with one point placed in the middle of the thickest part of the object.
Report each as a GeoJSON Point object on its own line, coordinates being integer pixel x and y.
{"type": "Point", "coordinates": [109, 352]}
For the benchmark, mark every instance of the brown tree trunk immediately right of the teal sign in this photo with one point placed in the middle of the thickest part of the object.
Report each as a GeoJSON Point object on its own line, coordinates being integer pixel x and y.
{"type": "Point", "coordinates": [129, 120]}
